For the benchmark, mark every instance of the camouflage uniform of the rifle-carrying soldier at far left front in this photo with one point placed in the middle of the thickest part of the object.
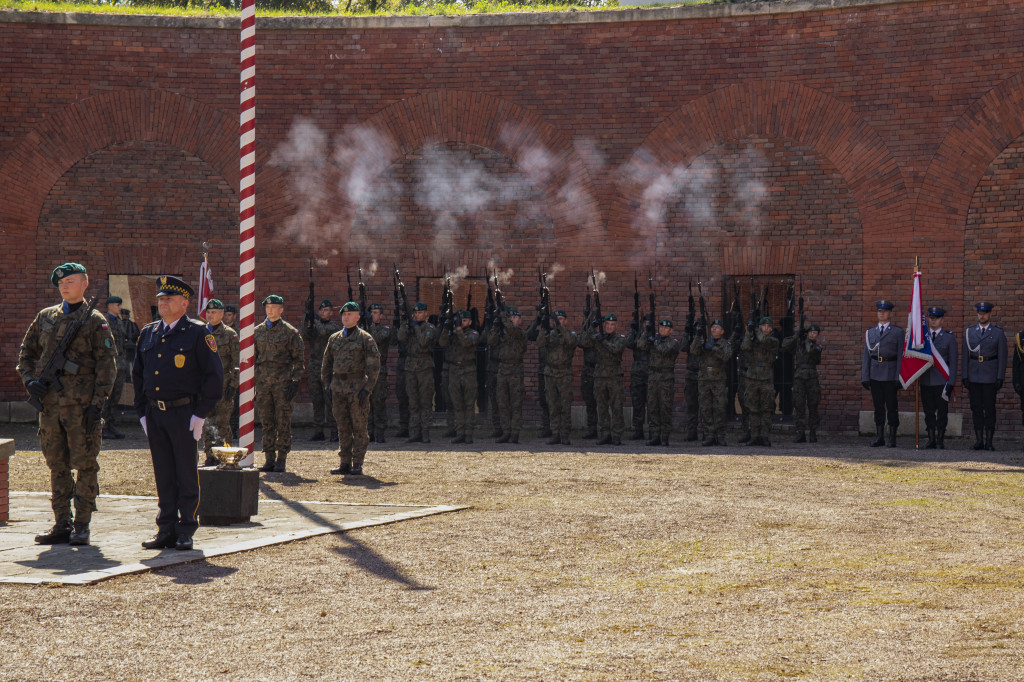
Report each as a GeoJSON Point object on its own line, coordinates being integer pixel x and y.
{"type": "Point", "coordinates": [65, 442]}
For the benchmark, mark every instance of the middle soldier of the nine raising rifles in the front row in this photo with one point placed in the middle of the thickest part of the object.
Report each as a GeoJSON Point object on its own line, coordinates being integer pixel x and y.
{"type": "Point", "coordinates": [609, 348]}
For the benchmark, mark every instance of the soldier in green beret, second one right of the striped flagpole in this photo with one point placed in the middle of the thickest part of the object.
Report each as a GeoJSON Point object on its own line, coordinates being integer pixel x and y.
{"type": "Point", "coordinates": [352, 365]}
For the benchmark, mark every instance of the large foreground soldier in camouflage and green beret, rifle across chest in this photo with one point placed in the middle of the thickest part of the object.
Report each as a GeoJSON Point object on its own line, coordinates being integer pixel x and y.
{"type": "Point", "coordinates": [70, 423]}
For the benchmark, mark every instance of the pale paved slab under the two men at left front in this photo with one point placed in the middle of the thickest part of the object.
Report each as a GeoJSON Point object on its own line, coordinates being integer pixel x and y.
{"type": "Point", "coordinates": [122, 523]}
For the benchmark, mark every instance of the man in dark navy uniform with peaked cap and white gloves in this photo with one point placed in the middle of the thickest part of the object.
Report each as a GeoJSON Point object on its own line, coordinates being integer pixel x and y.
{"type": "Point", "coordinates": [179, 380]}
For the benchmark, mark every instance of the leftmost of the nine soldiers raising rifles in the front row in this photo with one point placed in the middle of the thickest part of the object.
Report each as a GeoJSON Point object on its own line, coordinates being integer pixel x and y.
{"type": "Point", "coordinates": [419, 337]}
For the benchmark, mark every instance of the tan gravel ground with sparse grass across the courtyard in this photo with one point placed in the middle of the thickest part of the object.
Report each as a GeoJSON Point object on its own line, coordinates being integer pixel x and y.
{"type": "Point", "coordinates": [828, 562]}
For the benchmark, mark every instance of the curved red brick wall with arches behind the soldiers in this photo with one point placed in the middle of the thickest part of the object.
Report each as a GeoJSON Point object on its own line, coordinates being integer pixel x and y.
{"type": "Point", "coordinates": [767, 142]}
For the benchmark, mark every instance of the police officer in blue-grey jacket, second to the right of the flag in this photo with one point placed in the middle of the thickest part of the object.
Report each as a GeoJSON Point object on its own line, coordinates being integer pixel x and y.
{"type": "Point", "coordinates": [985, 370]}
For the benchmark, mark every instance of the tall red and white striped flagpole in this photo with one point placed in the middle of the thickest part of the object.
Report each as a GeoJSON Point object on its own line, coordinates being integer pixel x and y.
{"type": "Point", "coordinates": [247, 229]}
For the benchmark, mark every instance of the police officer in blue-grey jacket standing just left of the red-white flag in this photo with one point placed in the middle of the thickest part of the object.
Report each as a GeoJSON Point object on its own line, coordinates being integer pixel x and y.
{"type": "Point", "coordinates": [880, 371]}
